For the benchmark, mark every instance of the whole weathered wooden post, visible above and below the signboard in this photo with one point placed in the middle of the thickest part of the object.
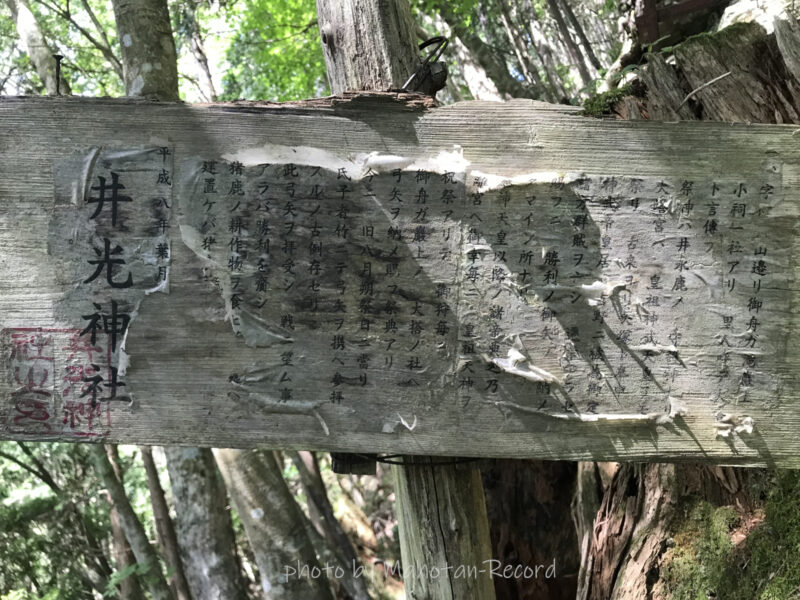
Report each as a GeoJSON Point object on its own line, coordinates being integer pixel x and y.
{"type": "Point", "coordinates": [369, 45]}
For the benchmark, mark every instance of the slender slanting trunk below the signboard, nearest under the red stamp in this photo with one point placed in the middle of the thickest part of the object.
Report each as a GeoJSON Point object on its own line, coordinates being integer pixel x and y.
{"type": "Point", "coordinates": [134, 532]}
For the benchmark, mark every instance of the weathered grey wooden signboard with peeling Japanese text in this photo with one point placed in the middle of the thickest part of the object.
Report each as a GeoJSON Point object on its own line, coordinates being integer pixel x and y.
{"type": "Point", "coordinates": [369, 275]}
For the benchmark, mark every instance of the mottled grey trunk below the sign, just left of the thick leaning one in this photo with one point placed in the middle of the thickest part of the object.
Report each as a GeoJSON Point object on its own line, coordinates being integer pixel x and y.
{"type": "Point", "coordinates": [203, 525]}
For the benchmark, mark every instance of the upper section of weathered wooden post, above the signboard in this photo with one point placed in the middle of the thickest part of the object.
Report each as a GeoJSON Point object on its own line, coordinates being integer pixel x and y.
{"type": "Point", "coordinates": [368, 44]}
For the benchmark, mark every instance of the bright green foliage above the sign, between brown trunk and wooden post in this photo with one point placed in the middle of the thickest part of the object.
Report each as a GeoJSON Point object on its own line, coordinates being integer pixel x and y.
{"type": "Point", "coordinates": [276, 53]}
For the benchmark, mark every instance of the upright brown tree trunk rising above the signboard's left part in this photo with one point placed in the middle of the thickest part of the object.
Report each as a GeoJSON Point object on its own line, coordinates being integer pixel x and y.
{"type": "Point", "coordinates": [149, 61]}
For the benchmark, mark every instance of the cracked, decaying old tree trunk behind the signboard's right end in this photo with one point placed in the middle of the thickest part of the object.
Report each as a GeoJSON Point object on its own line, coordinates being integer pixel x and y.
{"type": "Point", "coordinates": [639, 510]}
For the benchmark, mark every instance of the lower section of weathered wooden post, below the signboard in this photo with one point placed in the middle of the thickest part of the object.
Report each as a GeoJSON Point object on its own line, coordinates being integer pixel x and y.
{"type": "Point", "coordinates": [444, 531]}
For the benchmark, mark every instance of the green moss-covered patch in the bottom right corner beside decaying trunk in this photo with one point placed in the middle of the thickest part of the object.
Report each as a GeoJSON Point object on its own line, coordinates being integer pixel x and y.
{"type": "Point", "coordinates": [764, 567]}
